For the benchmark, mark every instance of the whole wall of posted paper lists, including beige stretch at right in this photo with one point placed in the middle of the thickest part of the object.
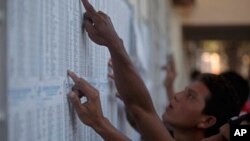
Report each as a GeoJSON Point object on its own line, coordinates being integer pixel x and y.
{"type": "Point", "coordinates": [45, 39]}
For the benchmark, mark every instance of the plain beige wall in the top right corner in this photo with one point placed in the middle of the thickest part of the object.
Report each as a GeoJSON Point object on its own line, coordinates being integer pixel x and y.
{"type": "Point", "coordinates": [222, 12]}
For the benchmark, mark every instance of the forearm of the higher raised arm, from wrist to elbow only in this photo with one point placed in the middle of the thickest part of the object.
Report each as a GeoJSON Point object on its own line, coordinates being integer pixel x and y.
{"type": "Point", "coordinates": [129, 84]}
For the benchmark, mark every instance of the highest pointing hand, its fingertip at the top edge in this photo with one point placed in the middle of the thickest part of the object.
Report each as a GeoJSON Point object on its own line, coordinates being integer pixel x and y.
{"type": "Point", "coordinates": [99, 26]}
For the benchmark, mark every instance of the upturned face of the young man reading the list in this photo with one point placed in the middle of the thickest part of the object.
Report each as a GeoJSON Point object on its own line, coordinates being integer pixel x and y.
{"type": "Point", "coordinates": [185, 109]}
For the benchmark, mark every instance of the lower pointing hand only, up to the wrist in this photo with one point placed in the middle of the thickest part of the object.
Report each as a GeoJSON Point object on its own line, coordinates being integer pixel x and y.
{"type": "Point", "coordinates": [90, 112]}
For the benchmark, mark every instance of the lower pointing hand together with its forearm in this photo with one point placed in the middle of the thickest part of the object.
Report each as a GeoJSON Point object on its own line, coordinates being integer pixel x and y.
{"type": "Point", "coordinates": [90, 112]}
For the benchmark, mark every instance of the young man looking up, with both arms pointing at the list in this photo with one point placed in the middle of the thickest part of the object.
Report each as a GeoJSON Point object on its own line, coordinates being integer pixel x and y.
{"type": "Point", "coordinates": [198, 98]}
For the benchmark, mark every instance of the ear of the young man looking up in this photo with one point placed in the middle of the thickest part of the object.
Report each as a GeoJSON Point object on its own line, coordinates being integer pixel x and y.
{"type": "Point", "coordinates": [206, 122]}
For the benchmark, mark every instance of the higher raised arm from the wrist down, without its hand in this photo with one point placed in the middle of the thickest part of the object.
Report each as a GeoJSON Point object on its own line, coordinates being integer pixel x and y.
{"type": "Point", "coordinates": [136, 96]}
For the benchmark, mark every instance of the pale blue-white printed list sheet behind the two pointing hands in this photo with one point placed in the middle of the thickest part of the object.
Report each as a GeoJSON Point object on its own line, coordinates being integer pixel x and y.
{"type": "Point", "coordinates": [45, 39]}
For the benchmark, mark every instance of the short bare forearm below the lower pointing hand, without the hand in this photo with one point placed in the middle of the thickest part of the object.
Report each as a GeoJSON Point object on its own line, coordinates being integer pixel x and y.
{"type": "Point", "coordinates": [108, 132]}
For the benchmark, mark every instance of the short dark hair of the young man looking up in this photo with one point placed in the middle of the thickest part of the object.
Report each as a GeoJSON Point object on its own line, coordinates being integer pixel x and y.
{"type": "Point", "coordinates": [222, 101]}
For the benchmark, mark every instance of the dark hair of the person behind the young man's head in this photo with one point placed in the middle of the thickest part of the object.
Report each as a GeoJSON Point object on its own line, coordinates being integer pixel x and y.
{"type": "Point", "coordinates": [240, 85]}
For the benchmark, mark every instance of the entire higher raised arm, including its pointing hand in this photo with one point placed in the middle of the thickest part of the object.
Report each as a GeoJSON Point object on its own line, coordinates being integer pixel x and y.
{"type": "Point", "coordinates": [129, 84]}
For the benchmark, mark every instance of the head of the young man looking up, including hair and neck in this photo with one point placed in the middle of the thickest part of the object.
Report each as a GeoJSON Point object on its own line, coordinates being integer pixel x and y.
{"type": "Point", "coordinates": [202, 108]}
